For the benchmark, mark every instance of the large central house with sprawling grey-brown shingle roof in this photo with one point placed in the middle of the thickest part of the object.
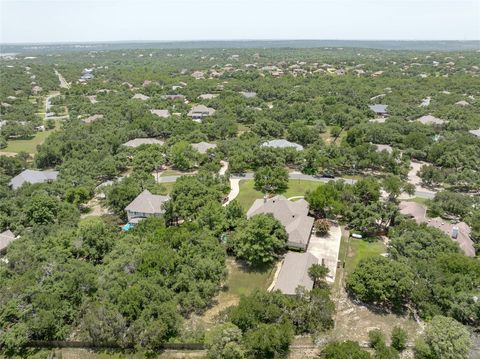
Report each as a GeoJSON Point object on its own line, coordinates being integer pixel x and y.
{"type": "Point", "coordinates": [293, 216]}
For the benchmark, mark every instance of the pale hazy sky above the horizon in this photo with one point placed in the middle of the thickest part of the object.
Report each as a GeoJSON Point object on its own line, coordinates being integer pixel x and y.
{"type": "Point", "coordinates": [44, 21]}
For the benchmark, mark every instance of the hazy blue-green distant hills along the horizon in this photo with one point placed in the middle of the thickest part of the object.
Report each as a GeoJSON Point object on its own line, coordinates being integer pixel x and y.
{"type": "Point", "coordinates": [373, 44]}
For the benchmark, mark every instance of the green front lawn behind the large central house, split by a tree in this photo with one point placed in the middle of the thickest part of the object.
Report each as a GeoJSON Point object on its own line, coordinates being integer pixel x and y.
{"type": "Point", "coordinates": [295, 188]}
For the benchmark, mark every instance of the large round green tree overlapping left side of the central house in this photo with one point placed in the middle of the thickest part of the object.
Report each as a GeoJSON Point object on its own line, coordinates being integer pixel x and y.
{"type": "Point", "coordinates": [261, 240]}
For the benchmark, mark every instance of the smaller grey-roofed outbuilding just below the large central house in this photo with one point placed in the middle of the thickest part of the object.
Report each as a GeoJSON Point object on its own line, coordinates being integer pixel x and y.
{"type": "Point", "coordinates": [294, 273]}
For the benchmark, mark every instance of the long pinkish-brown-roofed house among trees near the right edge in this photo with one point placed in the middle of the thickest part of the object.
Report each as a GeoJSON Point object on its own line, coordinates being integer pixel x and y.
{"type": "Point", "coordinates": [459, 232]}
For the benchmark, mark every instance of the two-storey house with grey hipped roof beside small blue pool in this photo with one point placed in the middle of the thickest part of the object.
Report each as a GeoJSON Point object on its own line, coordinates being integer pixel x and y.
{"type": "Point", "coordinates": [144, 206]}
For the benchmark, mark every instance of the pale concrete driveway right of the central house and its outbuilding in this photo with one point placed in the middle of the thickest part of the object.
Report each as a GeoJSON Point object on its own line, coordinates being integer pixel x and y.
{"type": "Point", "coordinates": [326, 249]}
